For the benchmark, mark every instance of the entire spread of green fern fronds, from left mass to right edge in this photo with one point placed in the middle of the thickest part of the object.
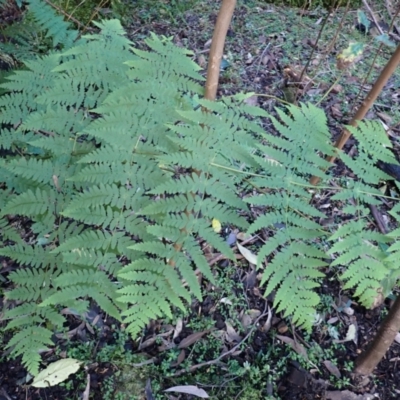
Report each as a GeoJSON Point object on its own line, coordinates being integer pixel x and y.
{"type": "Point", "coordinates": [118, 167]}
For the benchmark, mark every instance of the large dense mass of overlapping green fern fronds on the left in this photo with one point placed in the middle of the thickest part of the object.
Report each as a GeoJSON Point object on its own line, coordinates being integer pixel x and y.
{"type": "Point", "coordinates": [113, 220]}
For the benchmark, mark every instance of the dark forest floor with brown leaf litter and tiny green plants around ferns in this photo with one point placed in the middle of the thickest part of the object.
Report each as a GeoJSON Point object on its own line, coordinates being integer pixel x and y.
{"type": "Point", "coordinates": [269, 358]}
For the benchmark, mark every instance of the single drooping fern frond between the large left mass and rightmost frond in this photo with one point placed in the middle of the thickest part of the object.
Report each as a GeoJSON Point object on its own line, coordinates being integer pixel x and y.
{"type": "Point", "coordinates": [287, 162]}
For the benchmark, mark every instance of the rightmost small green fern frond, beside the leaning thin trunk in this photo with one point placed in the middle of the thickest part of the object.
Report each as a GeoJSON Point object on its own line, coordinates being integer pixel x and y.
{"type": "Point", "coordinates": [360, 250]}
